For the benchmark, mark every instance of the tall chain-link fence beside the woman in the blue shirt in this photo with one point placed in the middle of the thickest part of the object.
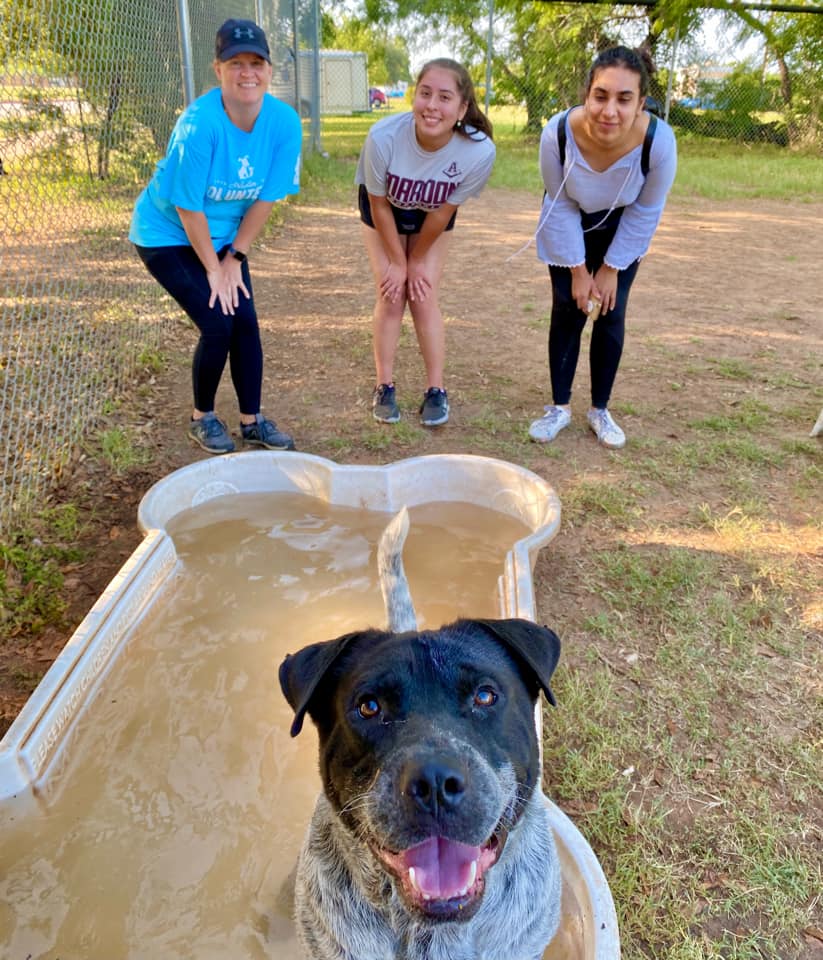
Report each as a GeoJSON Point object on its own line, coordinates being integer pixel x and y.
{"type": "Point", "coordinates": [89, 92]}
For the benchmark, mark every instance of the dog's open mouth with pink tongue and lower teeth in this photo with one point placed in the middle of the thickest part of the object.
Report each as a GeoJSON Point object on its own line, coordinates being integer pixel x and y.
{"type": "Point", "coordinates": [444, 878]}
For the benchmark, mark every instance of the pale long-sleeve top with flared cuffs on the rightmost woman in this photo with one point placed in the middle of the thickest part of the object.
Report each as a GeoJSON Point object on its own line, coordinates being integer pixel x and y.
{"type": "Point", "coordinates": [575, 187]}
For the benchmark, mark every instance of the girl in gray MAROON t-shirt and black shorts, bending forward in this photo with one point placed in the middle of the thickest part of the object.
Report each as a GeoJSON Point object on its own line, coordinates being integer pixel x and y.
{"type": "Point", "coordinates": [414, 171]}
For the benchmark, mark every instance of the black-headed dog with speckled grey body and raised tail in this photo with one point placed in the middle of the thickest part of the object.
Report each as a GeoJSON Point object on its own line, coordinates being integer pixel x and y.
{"type": "Point", "coordinates": [431, 839]}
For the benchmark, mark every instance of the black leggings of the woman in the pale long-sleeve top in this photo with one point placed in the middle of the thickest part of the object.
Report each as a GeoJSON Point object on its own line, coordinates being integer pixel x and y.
{"type": "Point", "coordinates": [568, 321]}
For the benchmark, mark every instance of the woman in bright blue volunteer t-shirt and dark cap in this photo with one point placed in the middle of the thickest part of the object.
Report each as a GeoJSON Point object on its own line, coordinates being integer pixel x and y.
{"type": "Point", "coordinates": [233, 152]}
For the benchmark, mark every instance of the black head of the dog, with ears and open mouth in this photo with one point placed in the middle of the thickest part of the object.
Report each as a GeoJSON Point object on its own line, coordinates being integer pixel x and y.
{"type": "Point", "coordinates": [428, 748]}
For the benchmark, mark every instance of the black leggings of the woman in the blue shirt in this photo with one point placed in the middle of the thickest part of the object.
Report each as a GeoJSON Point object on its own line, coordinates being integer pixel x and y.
{"type": "Point", "coordinates": [236, 338]}
